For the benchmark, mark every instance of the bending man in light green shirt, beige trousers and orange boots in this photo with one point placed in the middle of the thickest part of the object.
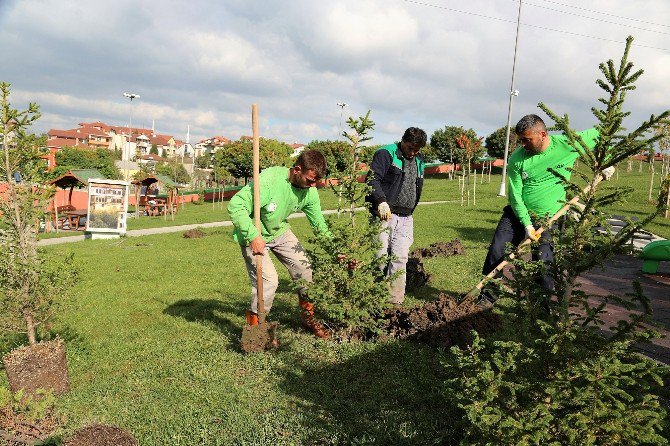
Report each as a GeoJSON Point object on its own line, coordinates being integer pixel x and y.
{"type": "Point", "coordinates": [283, 191]}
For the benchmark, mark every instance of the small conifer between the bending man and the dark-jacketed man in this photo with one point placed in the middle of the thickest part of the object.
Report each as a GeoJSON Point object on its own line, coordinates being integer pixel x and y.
{"type": "Point", "coordinates": [349, 288]}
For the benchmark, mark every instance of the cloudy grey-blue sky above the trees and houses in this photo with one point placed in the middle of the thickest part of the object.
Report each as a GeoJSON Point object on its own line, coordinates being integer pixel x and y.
{"type": "Point", "coordinates": [425, 63]}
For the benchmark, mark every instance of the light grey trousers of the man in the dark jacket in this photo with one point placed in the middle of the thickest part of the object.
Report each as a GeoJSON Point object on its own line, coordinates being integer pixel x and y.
{"type": "Point", "coordinates": [397, 237]}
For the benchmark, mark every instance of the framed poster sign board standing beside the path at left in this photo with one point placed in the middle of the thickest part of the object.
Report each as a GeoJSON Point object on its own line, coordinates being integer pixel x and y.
{"type": "Point", "coordinates": [107, 206]}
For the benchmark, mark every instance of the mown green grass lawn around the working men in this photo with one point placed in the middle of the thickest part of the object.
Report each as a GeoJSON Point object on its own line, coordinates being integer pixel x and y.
{"type": "Point", "coordinates": [153, 326]}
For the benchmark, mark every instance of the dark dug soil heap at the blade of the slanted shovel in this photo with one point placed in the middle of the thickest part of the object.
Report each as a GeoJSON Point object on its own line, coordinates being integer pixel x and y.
{"type": "Point", "coordinates": [441, 323]}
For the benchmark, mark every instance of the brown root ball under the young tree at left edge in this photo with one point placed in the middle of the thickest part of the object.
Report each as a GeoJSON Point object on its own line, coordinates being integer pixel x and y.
{"type": "Point", "coordinates": [39, 366]}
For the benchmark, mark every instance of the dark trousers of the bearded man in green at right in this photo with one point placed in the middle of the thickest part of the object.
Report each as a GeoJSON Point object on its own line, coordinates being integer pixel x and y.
{"type": "Point", "coordinates": [511, 230]}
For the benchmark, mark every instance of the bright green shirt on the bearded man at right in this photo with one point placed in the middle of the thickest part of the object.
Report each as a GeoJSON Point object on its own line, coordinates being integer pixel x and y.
{"type": "Point", "coordinates": [535, 189]}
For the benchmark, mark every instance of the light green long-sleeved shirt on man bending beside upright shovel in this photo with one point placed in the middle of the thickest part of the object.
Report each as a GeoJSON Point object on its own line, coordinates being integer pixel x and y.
{"type": "Point", "coordinates": [279, 199]}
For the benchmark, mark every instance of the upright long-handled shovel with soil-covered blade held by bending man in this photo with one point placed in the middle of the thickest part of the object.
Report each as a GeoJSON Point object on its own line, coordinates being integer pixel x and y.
{"type": "Point", "coordinates": [261, 337]}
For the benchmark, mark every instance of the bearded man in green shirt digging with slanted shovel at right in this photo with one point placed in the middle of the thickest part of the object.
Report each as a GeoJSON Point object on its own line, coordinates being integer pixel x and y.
{"type": "Point", "coordinates": [535, 192]}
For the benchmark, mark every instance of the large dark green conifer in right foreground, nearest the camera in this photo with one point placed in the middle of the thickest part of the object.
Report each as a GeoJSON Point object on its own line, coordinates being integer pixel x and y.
{"type": "Point", "coordinates": [550, 375]}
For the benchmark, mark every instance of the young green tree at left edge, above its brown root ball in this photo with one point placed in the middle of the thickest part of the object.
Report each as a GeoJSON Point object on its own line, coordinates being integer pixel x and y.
{"type": "Point", "coordinates": [29, 283]}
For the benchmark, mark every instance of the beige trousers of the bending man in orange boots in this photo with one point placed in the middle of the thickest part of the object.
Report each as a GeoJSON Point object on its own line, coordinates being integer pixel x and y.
{"type": "Point", "coordinates": [290, 253]}
